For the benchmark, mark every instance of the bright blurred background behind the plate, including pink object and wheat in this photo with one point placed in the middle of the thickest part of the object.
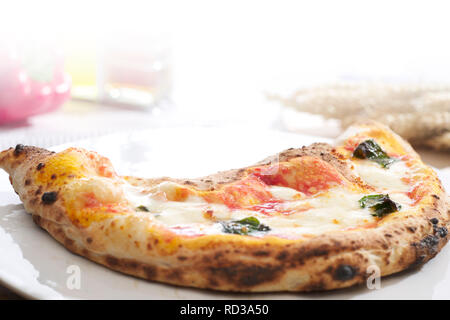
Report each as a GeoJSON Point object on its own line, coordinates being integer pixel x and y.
{"type": "Point", "coordinates": [77, 69]}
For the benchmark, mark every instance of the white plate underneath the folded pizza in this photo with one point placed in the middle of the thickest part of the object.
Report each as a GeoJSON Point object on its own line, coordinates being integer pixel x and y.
{"type": "Point", "coordinates": [36, 266]}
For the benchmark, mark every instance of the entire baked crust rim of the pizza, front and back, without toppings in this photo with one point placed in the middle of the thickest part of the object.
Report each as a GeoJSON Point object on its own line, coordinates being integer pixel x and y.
{"type": "Point", "coordinates": [231, 262]}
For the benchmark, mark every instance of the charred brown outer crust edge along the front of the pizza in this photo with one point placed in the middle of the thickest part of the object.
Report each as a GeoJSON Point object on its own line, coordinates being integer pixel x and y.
{"type": "Point", "coordinates": [330, 261]}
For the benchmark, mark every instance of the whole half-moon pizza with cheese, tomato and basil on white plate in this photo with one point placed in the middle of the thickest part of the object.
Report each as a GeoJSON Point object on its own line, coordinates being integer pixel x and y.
{"type": "Point", "coordinates": [306, 219]}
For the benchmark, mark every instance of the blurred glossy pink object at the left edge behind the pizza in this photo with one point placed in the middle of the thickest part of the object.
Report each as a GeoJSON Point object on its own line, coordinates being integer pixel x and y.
{"type": "Point", "coordinates": [27, 89]}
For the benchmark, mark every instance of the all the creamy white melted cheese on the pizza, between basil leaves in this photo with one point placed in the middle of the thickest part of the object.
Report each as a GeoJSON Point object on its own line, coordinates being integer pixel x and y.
{"type": "Point", "coordinates": [292, 214]}
